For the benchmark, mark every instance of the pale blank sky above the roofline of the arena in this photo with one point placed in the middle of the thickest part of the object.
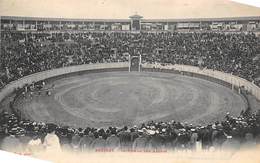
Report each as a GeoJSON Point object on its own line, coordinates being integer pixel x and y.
{"type": "Point", "coordinates": [122, 9]}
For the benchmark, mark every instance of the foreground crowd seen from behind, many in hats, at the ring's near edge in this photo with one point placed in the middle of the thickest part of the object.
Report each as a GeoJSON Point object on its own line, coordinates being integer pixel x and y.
{"type": "Point", "coordinates": [232, 133]}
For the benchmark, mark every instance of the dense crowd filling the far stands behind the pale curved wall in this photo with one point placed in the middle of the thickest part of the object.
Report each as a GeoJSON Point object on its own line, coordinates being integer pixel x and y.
{"type": "Point", "coordinates": [26, 53]}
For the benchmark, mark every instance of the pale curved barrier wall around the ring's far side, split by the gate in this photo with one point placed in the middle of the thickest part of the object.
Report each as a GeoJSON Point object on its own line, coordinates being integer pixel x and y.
{"type": "Point", "coordinates": [220, 77]}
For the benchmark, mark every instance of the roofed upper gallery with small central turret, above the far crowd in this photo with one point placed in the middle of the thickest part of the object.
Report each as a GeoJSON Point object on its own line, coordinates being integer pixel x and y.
{"type": "Point", "coordinates": [134, 23]}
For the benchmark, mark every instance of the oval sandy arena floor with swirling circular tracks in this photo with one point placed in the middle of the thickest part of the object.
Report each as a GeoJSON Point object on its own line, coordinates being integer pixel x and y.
{"type": "Point", "coordinates": [115, 97]}
